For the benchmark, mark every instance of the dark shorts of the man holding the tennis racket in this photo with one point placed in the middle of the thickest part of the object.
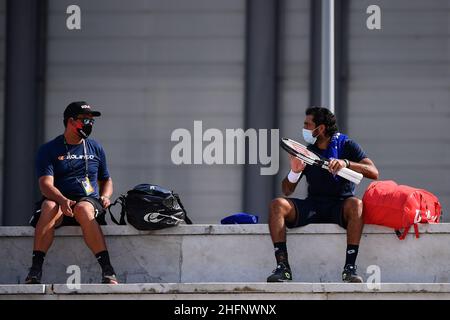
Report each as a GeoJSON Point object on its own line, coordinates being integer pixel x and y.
{"type": "Point", "coordinates": [309, 211]}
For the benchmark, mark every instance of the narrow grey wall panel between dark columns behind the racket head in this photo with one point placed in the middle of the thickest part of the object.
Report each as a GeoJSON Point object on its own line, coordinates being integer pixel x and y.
{"type": "Point", "coordinates": [294, 78]}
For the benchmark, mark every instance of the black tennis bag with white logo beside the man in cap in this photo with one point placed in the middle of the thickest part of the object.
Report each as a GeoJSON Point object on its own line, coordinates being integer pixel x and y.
{"type": "Point", "coordinates": [150, 207]}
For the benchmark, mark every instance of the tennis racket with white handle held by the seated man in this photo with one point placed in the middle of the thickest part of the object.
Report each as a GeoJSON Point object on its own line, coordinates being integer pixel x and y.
{"type": "Point", "coordinates": [301, 152]}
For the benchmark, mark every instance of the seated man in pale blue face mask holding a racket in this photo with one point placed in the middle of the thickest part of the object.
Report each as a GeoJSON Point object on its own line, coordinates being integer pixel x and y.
{"type": "Point", "coordinates": [330, 198]}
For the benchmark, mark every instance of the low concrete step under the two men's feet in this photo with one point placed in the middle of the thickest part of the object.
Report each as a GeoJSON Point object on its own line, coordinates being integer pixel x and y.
{"type": "Point", "coordinates": [228, 291]}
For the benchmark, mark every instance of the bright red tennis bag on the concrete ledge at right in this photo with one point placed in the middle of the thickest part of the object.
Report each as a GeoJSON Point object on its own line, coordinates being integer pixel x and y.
{"type": "Point", "coordinates": [398, 206]}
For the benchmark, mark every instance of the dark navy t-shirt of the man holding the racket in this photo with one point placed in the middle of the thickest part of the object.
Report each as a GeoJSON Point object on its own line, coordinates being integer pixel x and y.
{"type": "Point", "coordinates": [322, 184]}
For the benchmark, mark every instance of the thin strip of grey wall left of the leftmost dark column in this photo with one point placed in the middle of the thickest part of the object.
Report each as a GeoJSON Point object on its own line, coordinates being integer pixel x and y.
{"type": "Point", "coordinates": [2, 89]}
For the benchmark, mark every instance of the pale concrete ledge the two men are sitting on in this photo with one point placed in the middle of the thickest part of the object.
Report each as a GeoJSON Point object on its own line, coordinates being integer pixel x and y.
{"type": "Point", "coordinates": [230, 253]}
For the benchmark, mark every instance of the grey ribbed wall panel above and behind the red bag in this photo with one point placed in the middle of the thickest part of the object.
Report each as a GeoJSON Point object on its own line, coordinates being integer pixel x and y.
{"type": "Point", "coordinates": [399, 101]}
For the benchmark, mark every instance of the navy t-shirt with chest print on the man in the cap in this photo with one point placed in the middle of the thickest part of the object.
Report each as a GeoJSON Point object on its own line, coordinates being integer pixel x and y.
{"type": "Point", "coordinates": [52, 160]}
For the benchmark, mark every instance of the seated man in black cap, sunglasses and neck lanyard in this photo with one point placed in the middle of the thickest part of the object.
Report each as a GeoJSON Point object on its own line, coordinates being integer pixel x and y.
{"type": "Point", "coordinates": [76, 187]}
